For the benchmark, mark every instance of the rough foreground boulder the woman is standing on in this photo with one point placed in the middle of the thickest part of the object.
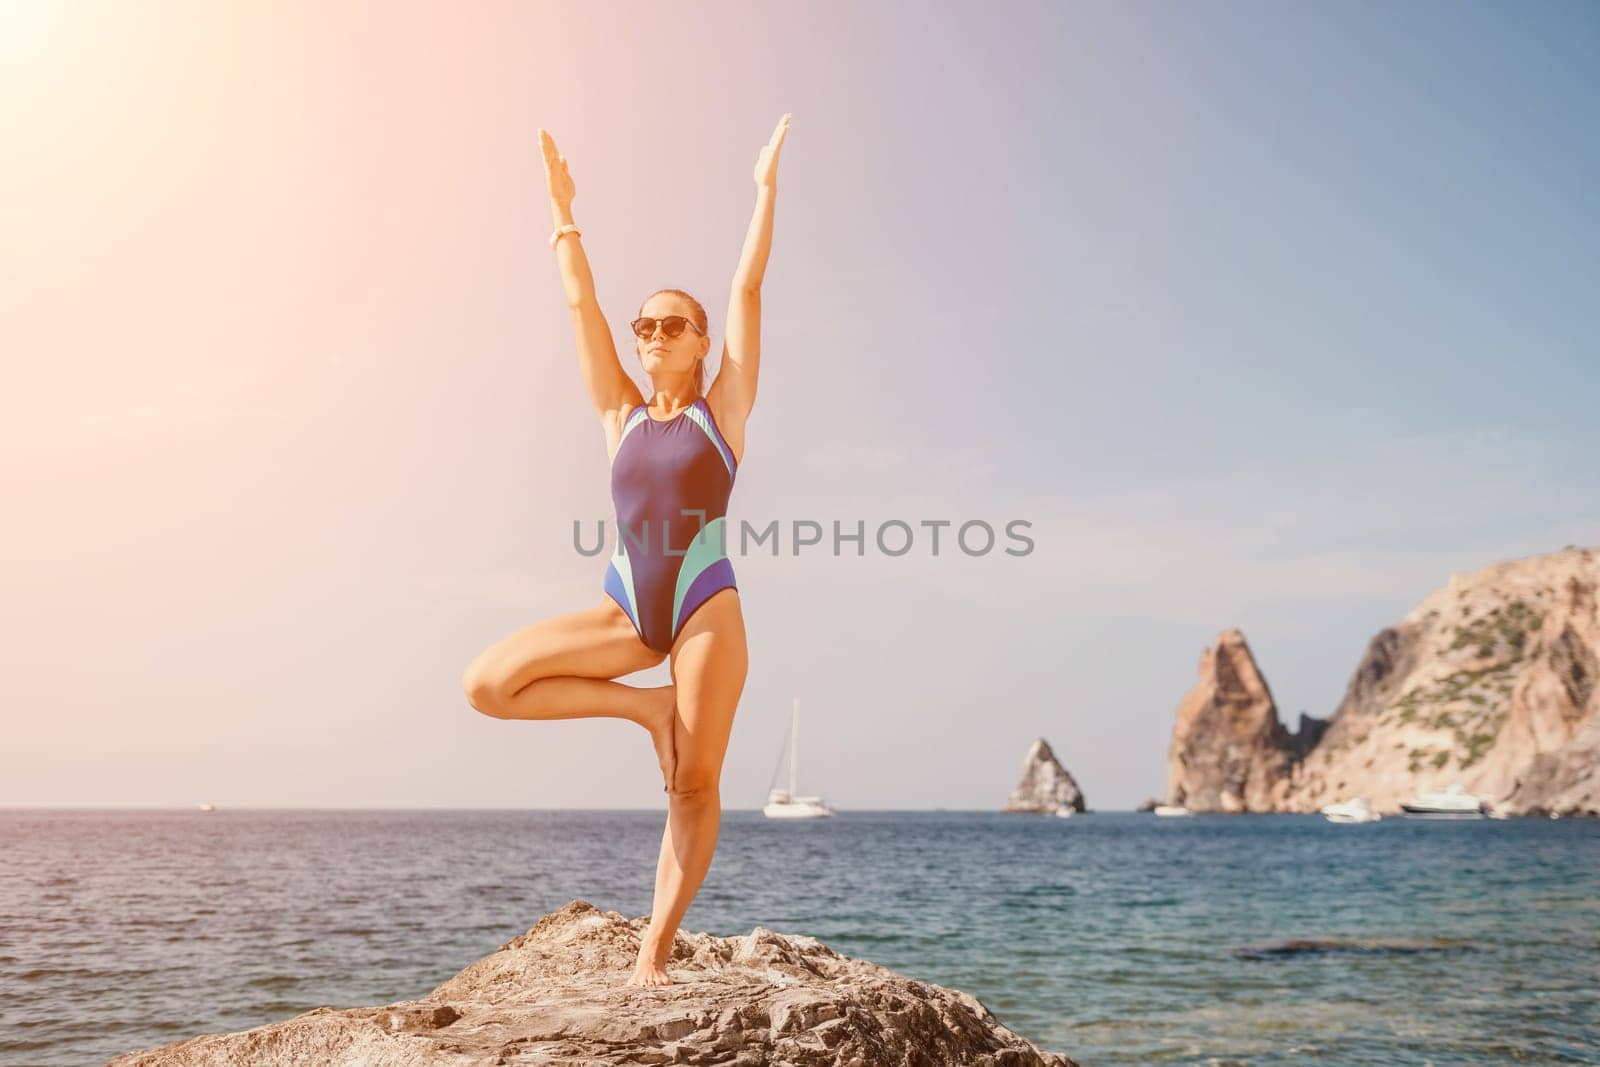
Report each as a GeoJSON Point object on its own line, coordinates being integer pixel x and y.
{"type": "Point", "coordinates": [559, 996]}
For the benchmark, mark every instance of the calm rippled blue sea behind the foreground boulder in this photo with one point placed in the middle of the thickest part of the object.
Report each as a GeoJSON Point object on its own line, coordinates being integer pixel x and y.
{"type": "Point", "coordinates": [1116, 938]}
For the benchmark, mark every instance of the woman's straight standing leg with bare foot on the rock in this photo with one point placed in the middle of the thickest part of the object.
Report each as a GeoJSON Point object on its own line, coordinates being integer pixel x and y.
{"type": "Point", "coordinates": [710, 663]}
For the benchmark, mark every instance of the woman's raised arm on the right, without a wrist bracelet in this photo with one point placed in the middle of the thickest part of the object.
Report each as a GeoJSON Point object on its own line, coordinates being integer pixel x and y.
{"type": "Point", "coordinates": [734, 394]}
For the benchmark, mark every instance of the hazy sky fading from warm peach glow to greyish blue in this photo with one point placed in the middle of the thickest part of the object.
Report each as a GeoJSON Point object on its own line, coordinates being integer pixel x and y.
{"type": "Point", "coordinates": [1260, 316]}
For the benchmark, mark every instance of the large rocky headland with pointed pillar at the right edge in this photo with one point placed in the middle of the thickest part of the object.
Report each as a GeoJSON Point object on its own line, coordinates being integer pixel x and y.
{"type": "Point", "coordinates": [1489, 682]}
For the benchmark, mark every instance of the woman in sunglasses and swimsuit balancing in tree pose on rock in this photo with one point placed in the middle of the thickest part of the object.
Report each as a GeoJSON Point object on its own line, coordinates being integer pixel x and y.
{"type": "Point", "coordinates": [670, 588]}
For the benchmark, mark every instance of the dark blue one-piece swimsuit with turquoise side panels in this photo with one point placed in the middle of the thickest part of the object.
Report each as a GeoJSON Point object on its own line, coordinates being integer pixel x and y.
{"type": "Point", "coordinates": [671, 484]}
